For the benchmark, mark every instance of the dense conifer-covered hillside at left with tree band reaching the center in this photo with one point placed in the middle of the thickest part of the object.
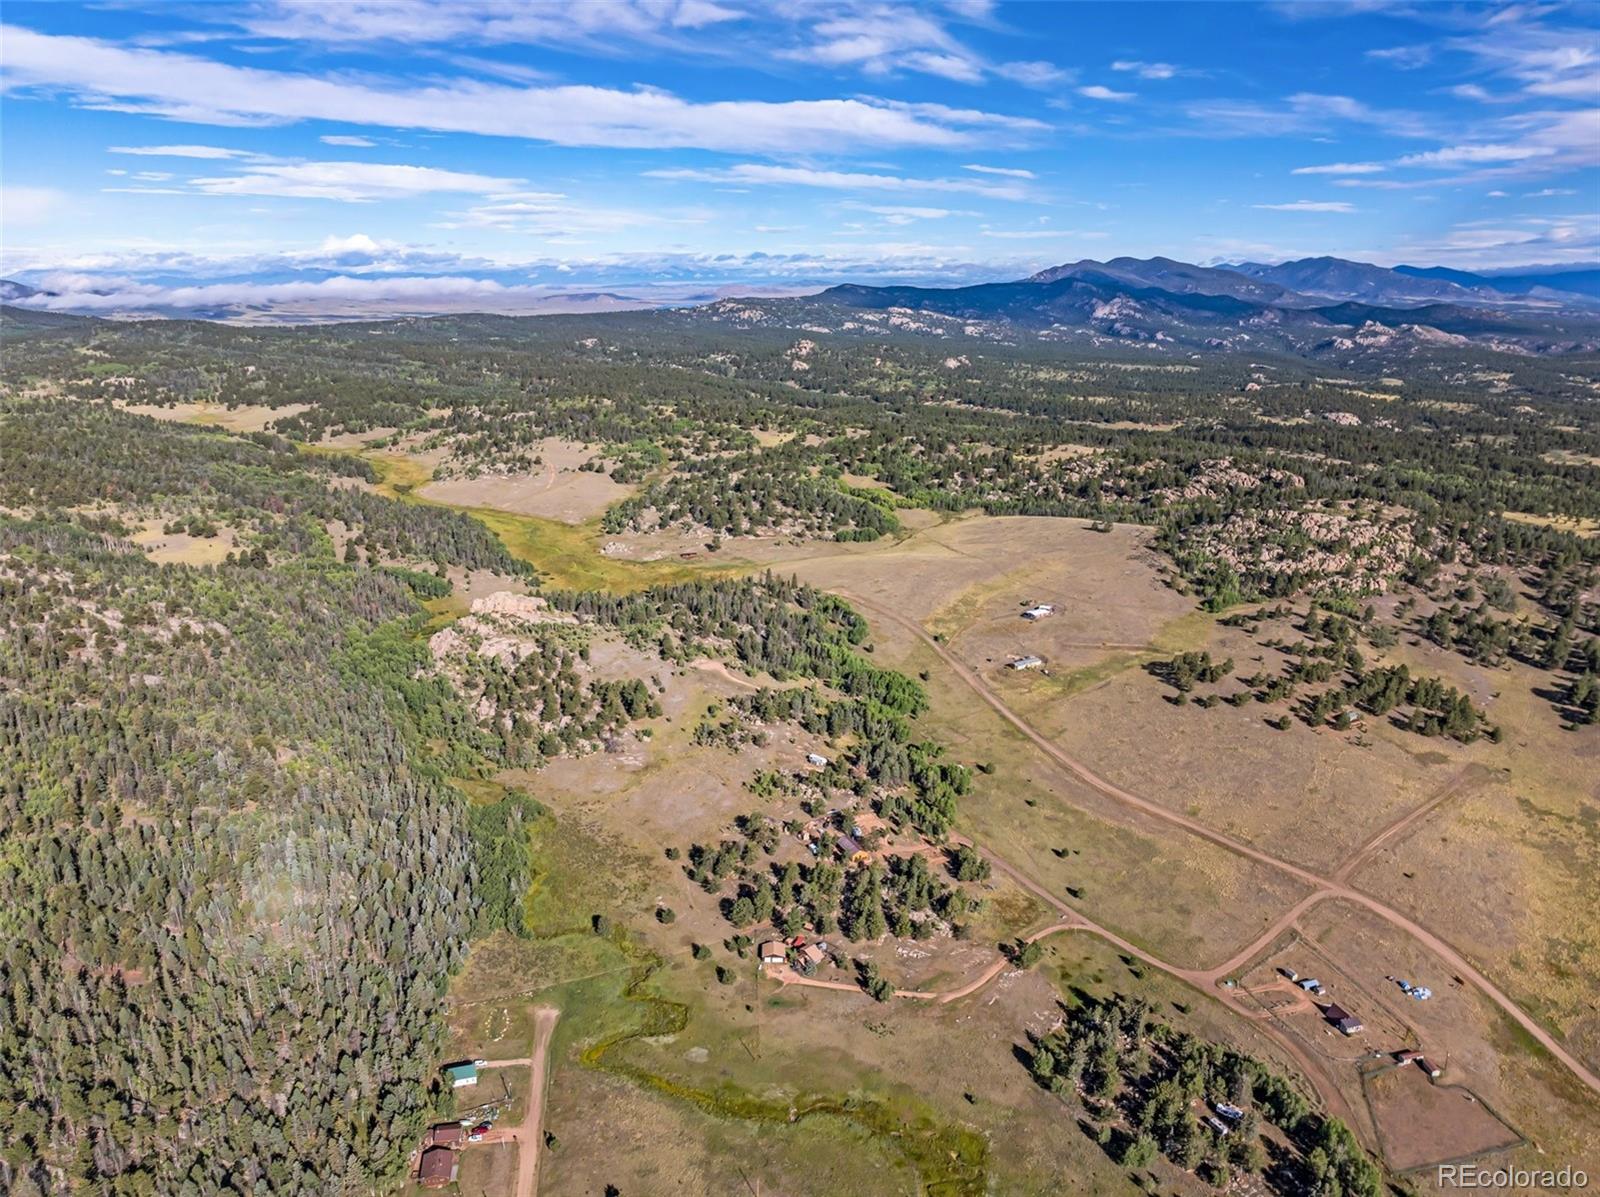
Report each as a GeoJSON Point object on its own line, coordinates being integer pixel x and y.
{"type": "Point", "coordinates": [239, 875]}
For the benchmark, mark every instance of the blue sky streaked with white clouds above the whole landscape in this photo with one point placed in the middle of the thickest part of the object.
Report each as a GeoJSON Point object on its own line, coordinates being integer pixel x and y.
{"type": "Point", "coordinates": [276, 143]}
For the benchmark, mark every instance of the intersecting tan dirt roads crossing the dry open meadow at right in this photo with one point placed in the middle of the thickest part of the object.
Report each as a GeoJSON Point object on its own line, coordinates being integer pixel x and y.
{"type": "Point", "coordinates": [1324, 889]}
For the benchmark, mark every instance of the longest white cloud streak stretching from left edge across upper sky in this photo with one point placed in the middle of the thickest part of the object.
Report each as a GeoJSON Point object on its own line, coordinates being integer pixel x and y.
{"type": "Point", "coordinates": [185, 87]}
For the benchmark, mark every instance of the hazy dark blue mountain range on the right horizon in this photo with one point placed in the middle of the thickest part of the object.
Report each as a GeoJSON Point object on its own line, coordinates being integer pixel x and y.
{"type": "Point", "coordinates": [1324, 308]}
